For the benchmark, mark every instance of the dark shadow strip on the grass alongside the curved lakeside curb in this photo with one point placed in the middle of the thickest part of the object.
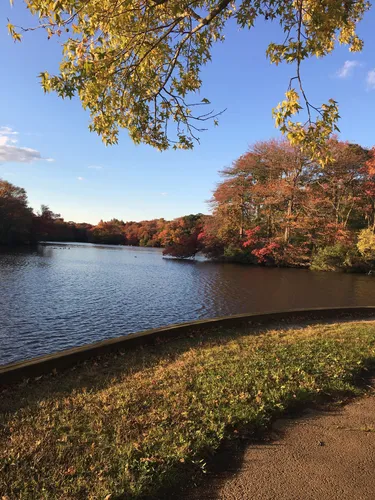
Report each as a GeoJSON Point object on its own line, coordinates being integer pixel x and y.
{"type": "Point", "coordinates": [101, 372]}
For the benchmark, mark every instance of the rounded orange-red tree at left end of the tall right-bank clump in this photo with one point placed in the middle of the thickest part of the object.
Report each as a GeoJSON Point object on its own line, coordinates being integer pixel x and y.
{"type": "Point", "coordinates": [263, 187]}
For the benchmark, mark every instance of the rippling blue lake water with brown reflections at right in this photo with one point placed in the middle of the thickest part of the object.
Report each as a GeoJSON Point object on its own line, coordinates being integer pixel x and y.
{"type": "Point", "coordinates": [61, 296]}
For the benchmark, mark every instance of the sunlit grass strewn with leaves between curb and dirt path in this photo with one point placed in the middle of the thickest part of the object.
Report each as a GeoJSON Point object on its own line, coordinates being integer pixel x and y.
{"type": "Point", "coordinates": [127, 425]}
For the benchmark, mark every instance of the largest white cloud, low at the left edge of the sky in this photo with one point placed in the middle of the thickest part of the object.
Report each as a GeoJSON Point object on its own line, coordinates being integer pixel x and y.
{"type": "Point", "coordinates": [9, 152]}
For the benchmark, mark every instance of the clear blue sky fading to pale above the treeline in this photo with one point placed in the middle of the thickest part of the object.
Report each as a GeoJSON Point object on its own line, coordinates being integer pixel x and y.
{"type": "Point", "coordinates": [46, 147]}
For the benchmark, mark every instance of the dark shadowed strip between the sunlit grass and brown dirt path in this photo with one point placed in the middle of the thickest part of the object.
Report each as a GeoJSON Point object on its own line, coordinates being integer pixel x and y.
{"type": "Point", "coordinates": [229, 459]}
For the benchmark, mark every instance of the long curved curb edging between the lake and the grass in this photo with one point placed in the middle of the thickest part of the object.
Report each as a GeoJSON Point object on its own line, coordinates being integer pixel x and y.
{"type": "Point", "coordinates": [67, 358]}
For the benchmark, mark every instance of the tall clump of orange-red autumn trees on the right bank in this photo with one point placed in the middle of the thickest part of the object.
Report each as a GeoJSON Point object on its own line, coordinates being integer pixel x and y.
{"type": "Point", "coordinates": [276, 206]}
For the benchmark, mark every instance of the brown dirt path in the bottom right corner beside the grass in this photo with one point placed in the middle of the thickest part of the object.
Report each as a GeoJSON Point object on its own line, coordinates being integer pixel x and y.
{"type": "Point", "coordinates": [319, 456]}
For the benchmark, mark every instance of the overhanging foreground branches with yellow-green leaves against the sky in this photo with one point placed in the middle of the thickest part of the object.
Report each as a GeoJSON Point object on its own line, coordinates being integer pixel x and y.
{"type": "Point", "coordinates": [135, 63]}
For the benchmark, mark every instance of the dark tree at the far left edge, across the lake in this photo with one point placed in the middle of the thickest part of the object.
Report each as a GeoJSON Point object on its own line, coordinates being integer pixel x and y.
{"type": "Point", "coordinates": [15, 215]}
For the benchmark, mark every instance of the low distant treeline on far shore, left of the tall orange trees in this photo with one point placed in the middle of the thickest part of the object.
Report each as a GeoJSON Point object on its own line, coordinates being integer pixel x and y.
{"type": "Point", "coordinates": [19, 224]}
